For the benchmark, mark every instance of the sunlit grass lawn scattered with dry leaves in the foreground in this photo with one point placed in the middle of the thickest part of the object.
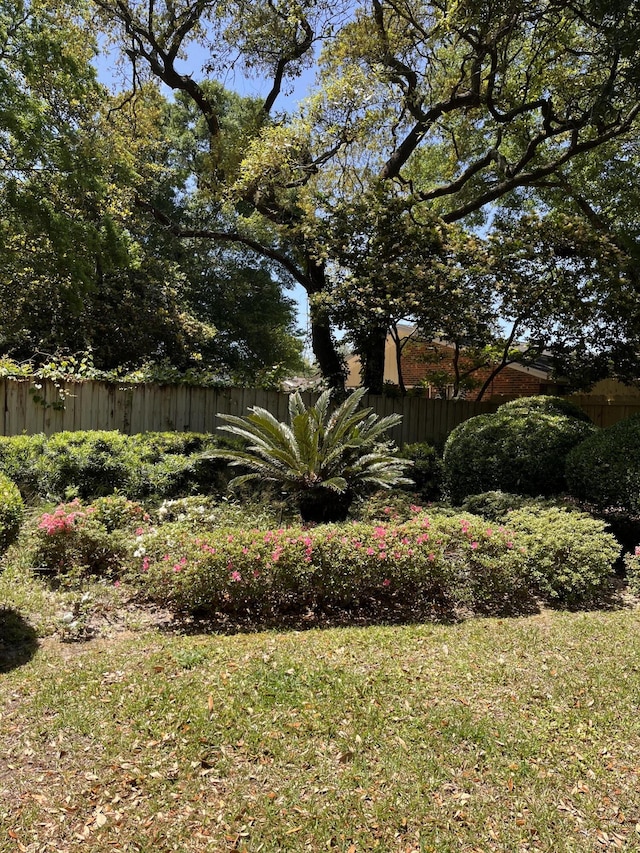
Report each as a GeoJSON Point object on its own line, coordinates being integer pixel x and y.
{"type": "Point", "coordinates": [492, 734]}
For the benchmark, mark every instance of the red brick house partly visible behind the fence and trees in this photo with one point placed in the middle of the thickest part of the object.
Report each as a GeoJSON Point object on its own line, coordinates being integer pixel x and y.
{"type": "Point", "coordinates": [420, 358]}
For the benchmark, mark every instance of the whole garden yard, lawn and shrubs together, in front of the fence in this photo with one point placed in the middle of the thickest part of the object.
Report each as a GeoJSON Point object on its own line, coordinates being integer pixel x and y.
{"type": "Point", "coordinates": [181, 671]}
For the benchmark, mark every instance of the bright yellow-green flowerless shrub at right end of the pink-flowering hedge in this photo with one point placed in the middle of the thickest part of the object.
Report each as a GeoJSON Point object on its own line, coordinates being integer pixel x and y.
{"type": "Point", "coordinates": [570, 554]}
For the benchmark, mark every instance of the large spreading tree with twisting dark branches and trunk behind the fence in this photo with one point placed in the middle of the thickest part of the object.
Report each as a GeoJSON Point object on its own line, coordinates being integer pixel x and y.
{"type": "Point", "coordinates": [451, 108]}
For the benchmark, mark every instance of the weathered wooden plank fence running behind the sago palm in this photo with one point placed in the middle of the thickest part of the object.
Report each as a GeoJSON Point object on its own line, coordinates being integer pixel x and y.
{"type": "Point", "coordinates": [30, 407]}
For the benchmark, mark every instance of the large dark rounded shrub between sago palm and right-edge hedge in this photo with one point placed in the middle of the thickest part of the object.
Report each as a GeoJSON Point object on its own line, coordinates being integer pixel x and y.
{"type": "Point", "coordinates": [511, 452]}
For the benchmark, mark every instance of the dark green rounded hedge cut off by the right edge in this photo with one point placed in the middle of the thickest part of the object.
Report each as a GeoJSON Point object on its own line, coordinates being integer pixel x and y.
{"type": "Point", "coordinates": [604, 469]}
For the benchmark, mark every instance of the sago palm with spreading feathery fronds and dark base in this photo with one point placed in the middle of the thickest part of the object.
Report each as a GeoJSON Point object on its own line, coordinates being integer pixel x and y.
{"type": "Point", "coordinates": [324, 457]}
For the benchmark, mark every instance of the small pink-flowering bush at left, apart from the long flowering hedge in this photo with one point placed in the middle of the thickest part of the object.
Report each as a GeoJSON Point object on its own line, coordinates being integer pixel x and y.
{"type": "Point", "coordinates": [94, 538]}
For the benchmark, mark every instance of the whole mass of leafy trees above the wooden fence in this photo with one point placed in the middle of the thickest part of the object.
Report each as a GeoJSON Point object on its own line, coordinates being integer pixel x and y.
{"type": "Point", "coordinates": [395, 191]}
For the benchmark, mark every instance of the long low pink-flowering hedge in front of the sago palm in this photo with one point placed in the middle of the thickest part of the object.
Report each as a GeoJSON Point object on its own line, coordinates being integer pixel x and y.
{"type": "Point", "coordinates": [429, 561]}
